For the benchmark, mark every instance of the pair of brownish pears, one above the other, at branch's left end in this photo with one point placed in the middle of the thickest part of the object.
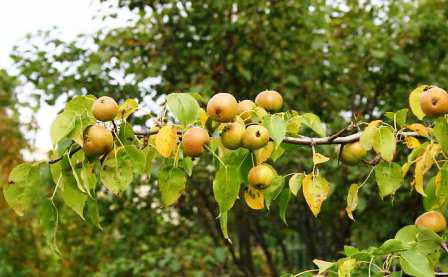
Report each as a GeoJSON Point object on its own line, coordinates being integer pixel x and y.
{"type": "Point", "coordinates": [97, 139]}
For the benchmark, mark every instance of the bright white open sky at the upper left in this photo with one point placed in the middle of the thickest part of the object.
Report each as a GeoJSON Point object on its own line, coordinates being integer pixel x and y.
{"type": "Point", "coordinates": [19, 17]}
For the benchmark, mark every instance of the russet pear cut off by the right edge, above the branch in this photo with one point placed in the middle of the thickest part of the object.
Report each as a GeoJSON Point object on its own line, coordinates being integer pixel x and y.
{"type": "Point", "coordinates": [434, 101]}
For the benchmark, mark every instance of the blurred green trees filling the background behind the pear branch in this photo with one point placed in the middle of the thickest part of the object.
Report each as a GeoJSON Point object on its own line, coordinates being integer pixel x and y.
{"type": "Point", "coordinates": [343, 60]}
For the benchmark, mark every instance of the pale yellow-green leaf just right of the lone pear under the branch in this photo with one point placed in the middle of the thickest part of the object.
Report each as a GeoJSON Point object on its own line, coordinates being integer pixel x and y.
{"type": "Point", "coordinates": [384, 143]}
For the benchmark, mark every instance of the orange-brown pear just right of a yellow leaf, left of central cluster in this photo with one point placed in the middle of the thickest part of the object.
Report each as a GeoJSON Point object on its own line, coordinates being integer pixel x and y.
{"type": "Point", "coordinates": [193, 141]}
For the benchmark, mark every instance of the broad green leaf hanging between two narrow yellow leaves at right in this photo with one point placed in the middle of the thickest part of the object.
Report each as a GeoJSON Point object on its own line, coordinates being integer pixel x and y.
{"type": "Point", "coordinates": [388, 177]}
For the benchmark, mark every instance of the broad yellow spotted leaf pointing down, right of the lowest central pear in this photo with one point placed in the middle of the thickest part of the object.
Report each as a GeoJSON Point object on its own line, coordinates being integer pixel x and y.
{"type": "Point", "coordinates": [315, 190]}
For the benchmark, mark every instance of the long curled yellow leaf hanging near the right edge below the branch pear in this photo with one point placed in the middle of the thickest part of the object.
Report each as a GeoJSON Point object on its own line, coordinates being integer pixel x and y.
{"type": "Point", "coordinates": [423, 164]}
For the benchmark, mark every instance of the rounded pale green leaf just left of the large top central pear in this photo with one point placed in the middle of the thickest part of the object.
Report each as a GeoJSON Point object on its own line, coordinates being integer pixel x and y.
{"type": "Point", "coordinates": [184, 107]}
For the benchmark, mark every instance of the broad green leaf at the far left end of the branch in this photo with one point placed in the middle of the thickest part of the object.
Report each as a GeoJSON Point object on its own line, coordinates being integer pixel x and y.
{"type": "Point", "coordinates": [27, 186]}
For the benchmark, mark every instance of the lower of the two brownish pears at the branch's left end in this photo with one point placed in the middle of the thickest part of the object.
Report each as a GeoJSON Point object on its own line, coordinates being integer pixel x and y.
{"type": "Point", "coordinates": [98, 140]}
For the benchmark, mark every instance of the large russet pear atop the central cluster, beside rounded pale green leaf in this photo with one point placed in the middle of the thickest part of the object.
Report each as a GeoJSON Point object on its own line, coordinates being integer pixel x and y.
{"type": "Point", "coordinates": [222, 107]}
